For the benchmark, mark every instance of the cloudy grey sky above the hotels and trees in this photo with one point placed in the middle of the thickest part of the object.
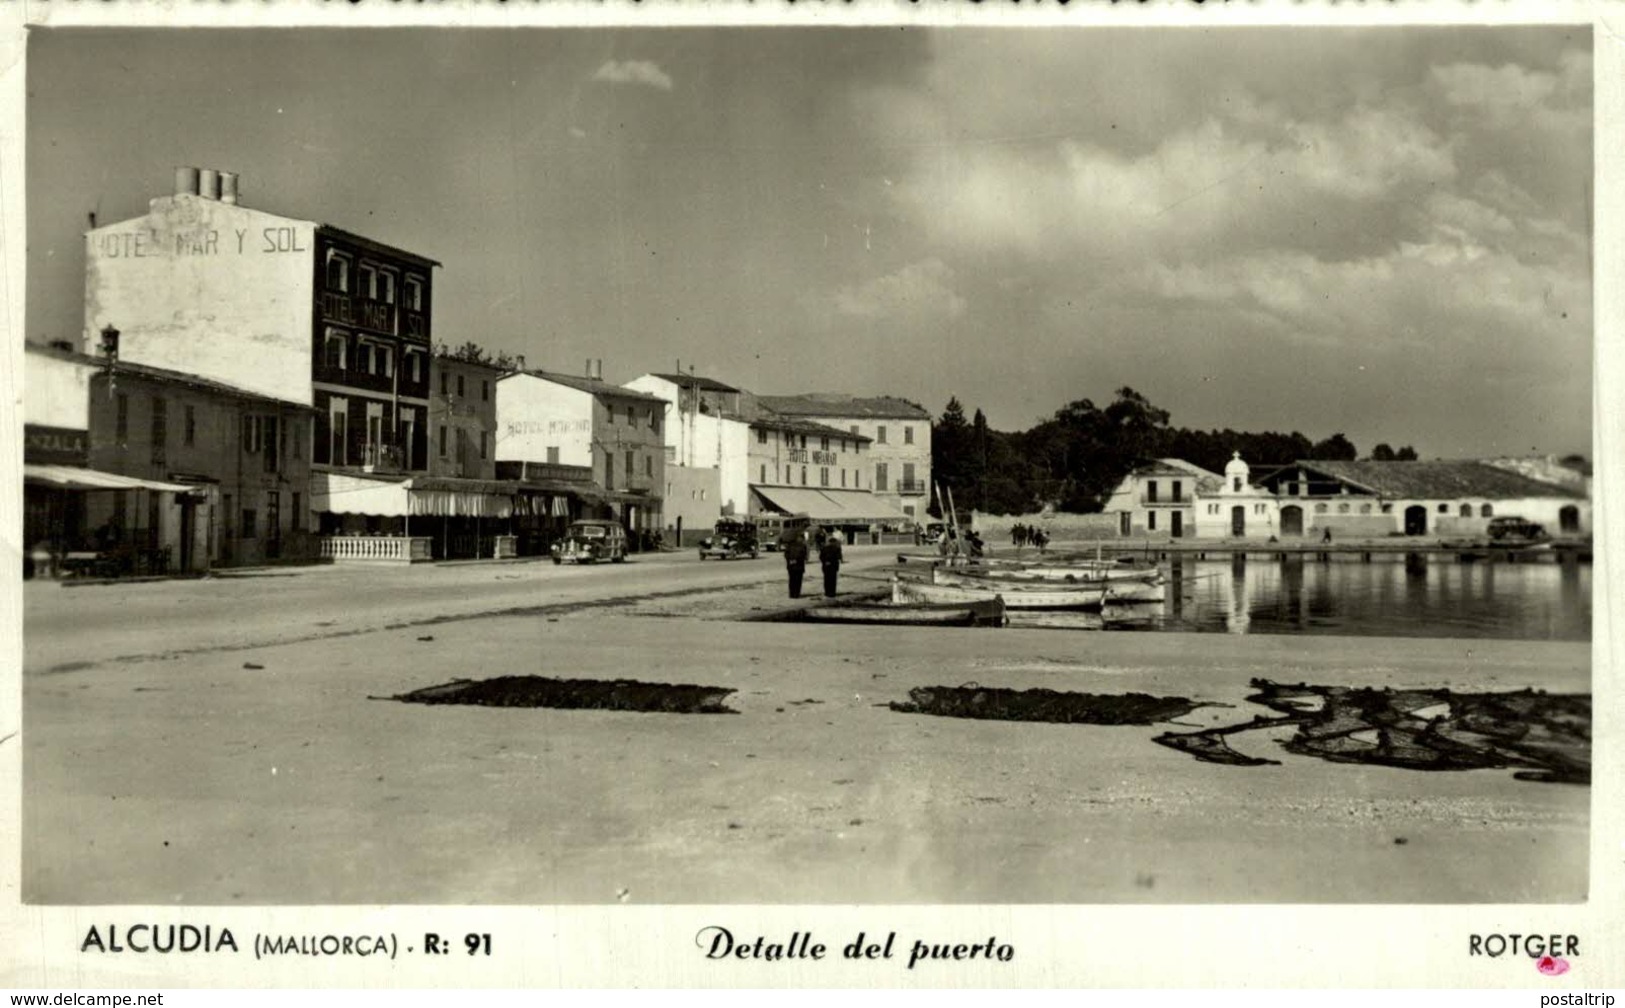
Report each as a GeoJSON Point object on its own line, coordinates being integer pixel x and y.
{"type": "Point", "coordinates": [1376, 232]}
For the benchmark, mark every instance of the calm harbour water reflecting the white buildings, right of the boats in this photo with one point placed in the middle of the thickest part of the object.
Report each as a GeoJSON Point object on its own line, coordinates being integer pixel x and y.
{"type": "Point", "coordinates": [1436, 597]}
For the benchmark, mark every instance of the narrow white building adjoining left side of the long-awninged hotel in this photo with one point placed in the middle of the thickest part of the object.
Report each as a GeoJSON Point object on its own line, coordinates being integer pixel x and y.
{"type": "Point", "coordinates": [708, 451]}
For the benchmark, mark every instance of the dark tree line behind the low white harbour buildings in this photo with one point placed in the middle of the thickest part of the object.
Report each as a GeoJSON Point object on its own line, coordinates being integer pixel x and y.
{"type": "Point", "coordinates": [1080, 456]}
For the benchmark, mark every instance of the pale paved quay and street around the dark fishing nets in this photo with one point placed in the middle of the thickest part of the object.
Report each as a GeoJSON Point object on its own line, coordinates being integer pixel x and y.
{"type": "Point", "coordinates": [222, 744]}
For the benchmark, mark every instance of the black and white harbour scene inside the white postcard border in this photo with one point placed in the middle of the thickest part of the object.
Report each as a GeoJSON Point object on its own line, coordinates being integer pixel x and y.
{"type": "Point", "coordinates": [891, 466]}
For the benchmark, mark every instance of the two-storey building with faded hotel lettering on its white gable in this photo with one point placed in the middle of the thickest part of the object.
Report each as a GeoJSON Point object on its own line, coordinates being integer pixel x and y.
{"type": "Point", "coordinates": [618, 435]}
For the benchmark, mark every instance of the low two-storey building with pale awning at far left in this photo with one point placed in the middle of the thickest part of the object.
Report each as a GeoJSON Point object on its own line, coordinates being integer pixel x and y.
{"type": "Point", "coordinates": [157, 471]}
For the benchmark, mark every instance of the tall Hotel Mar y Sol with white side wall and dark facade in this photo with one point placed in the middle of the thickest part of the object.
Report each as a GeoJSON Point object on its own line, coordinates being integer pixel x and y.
{"type": "Point", "coordinates": [305, 313]}
